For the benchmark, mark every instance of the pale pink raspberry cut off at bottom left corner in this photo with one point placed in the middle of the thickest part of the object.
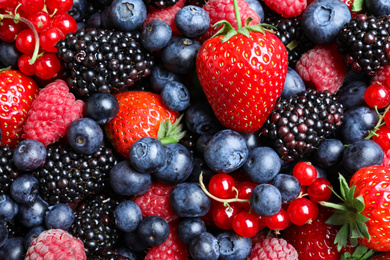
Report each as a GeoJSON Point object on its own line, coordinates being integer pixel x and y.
{"type": "Point", "coordinates": [56, 244]}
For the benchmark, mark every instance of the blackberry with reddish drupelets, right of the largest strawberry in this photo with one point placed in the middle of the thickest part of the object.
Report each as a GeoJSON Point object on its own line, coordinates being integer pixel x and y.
{"type": "Point", "coordinates": [299, 123]}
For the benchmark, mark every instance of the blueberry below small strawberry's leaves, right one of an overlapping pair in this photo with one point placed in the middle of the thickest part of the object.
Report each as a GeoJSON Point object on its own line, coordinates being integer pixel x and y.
{"type": "Point", "coordinates": [178, 164]}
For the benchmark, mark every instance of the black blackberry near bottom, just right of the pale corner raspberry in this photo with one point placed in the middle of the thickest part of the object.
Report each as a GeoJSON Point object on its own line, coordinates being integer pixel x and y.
{"type": "Point", "coordinates": [94, 225]}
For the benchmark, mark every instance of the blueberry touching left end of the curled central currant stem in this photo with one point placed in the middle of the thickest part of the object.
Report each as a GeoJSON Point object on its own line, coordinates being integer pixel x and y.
{"type": "Point", "coordinates": [189, 200]}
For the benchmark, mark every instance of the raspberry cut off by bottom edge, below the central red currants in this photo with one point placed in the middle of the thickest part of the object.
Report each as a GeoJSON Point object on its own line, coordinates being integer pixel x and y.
{"type": "Point", "coordinates": [272, 249]}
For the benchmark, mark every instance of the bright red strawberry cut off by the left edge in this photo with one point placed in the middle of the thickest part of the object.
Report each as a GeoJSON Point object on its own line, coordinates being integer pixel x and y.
{"type": "Point", "coordinates": [17, 93]}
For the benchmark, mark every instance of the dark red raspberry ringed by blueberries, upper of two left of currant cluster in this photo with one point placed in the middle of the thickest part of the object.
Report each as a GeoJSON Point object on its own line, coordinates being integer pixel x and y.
{"type": "Point", "coordinates": [156, 202]}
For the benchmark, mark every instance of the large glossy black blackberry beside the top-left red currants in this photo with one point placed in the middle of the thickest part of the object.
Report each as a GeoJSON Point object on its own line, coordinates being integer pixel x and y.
{"type": "Point", "coordinates": [99, 60]}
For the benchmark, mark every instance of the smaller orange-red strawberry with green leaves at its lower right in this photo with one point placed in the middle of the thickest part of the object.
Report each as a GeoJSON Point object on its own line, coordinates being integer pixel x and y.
{"type": "Point", "coordinates": [140, 114]}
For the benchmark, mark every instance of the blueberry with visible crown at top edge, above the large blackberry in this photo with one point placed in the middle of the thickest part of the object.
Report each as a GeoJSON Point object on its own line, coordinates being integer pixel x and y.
{"type": "Point", "coordinates": [127, 15]}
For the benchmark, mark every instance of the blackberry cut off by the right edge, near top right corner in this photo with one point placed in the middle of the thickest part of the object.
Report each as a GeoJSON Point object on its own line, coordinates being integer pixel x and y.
{"type": "Point", "coordinates": [365, 43]}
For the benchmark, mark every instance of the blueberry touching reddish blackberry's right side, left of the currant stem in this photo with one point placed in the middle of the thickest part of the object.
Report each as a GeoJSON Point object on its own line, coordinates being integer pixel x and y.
{"type": "Point", "coordinates": [357, 122]}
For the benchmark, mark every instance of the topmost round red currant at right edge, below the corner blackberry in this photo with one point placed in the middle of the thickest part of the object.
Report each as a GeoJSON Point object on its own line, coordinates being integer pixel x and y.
{"type": "Point", "coordinates": [377, 95]}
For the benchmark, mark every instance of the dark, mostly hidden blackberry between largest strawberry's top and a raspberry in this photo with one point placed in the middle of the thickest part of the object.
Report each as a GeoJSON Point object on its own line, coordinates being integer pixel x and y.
{"type": "Point", "coordinates": [290, 33]}
